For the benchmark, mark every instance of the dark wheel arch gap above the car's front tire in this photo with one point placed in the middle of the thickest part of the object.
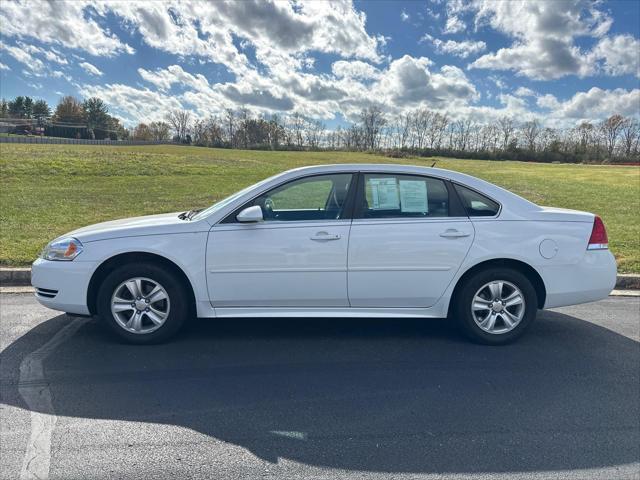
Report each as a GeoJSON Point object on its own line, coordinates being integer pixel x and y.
{"type": "Point", "coordinates": [110, 264]}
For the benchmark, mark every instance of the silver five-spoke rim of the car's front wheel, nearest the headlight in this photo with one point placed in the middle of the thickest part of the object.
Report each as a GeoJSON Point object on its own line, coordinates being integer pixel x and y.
{"type": "Point", "coordinates": [140, 305]}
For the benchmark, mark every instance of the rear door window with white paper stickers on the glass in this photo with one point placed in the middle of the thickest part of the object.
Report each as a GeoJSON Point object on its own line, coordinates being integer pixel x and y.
{"type": "Point", "coordinates": [390, 196]}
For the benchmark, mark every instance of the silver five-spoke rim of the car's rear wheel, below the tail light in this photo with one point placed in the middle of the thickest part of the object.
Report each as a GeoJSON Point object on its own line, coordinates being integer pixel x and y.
{"type": "Point", "coordinates": [498, 307]}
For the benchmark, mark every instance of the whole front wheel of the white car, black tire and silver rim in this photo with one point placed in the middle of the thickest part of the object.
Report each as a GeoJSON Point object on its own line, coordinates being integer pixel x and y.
{"type": "Point", "coordinates": [143, 303]}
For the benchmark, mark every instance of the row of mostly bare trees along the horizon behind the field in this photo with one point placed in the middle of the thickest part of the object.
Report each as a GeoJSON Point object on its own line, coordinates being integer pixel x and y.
{"type": "Point", "coordinates": [417, 132]}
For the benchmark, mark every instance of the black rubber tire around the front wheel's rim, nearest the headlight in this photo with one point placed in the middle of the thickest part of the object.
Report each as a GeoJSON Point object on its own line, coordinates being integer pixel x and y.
{"type": "Point", "coordinates": [177, 292]}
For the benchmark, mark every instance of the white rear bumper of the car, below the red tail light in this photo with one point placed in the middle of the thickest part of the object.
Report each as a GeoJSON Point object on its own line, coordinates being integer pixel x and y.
{"type": "Point", "coordinates": [587, 281]}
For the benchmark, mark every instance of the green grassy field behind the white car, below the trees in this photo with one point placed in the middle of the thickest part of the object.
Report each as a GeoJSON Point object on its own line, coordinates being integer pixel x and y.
{"type": "Point", "coordinates": [47, 190]}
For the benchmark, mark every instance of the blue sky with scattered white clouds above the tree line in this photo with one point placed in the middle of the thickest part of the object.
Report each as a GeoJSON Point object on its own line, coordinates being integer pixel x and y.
{"type": "Point", "coordinates": [560, 61]}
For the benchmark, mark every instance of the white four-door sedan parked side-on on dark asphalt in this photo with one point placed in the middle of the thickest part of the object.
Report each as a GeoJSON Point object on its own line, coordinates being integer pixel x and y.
{"type": "Point", "coordinates": [335, 241]}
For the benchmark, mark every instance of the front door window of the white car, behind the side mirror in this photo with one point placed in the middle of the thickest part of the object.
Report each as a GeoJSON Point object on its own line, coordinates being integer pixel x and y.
{"type": "Point", "coordinates": [321, 197]}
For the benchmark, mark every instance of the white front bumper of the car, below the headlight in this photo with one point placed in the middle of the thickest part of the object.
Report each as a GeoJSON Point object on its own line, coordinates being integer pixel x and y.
{"type": "Point", "coordinates": [62, 285]}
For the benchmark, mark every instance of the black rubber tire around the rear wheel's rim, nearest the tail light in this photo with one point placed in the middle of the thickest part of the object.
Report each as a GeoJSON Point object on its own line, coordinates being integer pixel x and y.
{"type": "Point", "coordinates": [464, 299]}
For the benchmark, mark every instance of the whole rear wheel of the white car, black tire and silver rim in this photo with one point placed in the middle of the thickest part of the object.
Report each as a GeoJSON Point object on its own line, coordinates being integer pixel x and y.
{"type": "Point", "coordinates": [495, 306]}
